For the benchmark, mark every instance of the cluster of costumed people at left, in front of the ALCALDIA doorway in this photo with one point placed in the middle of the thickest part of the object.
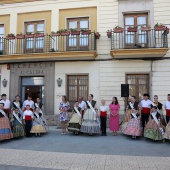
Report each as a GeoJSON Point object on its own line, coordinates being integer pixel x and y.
{"type": "Point", "coordinates": [19, 119]}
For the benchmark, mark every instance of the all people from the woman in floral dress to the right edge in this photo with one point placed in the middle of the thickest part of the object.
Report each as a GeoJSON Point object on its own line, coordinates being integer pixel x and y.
{"type": "Point", "coordinates": [140, 119]}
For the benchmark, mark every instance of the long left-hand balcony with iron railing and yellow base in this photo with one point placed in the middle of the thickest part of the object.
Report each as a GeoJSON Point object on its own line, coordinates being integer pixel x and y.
{"type": "Point", "coordinates": [52, 47]}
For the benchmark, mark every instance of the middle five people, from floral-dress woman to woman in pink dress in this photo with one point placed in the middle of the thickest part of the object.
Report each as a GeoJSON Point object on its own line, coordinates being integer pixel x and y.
{"type": "Point", "coordinates": [85, 117]}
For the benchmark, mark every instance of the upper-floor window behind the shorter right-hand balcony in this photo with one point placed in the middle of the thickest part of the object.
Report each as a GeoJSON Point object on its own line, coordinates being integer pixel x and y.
{"type": "Point", "coordinates": [139, 37]}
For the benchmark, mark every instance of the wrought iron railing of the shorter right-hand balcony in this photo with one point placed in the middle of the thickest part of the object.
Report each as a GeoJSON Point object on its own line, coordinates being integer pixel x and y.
{"type": "Point", "coordinates": [139, 39]}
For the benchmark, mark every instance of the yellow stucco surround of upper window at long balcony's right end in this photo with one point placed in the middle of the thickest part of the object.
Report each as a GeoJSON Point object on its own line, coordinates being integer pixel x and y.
{"type": "Point", "coordinates": [90, 12]}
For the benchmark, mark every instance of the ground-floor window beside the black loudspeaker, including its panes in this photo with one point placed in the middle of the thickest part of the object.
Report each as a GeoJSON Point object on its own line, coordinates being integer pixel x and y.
{"type": "Point", "coordinates": [138, 85]}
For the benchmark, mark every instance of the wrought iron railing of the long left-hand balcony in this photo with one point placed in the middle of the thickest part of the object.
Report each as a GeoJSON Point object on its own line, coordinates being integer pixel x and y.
{"type": "Point", "coordinates": [47, 43]}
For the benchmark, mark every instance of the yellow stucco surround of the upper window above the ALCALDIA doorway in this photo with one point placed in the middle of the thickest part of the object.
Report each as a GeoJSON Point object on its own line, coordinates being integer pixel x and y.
{"type": "Point", "coordinates": [34, 16]}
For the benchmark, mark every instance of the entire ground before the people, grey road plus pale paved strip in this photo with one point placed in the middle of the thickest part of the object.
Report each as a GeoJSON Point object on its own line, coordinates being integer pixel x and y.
{"type": "Point", "coordinates": [83, 152]}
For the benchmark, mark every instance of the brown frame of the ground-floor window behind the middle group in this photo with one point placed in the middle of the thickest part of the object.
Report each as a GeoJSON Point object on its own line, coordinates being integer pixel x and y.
{"type": "Point", "coordinates": [86, 92]}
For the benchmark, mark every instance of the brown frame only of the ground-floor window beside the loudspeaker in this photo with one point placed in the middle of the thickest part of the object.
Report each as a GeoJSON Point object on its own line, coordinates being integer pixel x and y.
{"type": "Point", "coordinates": [137, 90]}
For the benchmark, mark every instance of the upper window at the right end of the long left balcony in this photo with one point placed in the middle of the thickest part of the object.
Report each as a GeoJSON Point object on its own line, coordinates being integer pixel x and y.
{"type": "Point", "coordinates": [78, 42]}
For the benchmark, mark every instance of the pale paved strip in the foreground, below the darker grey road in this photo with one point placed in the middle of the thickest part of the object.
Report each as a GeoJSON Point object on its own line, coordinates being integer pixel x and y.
{"type": "Point", "coordinates": [37, 160]}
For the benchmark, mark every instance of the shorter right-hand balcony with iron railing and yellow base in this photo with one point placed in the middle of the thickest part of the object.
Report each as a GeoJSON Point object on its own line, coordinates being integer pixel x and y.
{"type": "Point", "coordinates": [139, 44]}
